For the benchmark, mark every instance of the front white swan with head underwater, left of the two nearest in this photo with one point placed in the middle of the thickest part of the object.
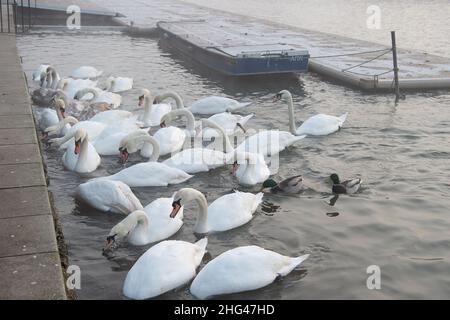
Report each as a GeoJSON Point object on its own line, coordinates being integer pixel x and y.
{"type": "Point", "coordinates": [164, 267]}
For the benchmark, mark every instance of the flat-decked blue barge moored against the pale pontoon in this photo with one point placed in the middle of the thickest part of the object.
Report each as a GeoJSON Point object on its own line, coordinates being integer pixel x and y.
{"type": "Point", "coordinates": [230, 52]}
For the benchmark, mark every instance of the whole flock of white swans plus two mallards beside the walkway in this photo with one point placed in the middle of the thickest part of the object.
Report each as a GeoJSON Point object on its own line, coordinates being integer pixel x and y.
{"type": "Point", "coordinates": [83, 119]}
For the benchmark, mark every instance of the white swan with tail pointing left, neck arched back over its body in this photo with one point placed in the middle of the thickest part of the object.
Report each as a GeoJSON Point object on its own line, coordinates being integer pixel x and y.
{"type": "Point", "coordinates": [147, 174]}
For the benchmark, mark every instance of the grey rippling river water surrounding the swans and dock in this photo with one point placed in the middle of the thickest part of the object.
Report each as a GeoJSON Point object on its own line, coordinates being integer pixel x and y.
{"type": "Point", "coordinates": [399, 220]}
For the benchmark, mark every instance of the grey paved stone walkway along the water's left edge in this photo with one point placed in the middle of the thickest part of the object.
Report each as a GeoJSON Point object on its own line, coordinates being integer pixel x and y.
{"type": "Point", "coordinates": [30, 266]}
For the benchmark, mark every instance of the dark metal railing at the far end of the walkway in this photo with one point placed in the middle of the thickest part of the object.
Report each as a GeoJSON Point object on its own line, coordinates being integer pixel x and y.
{"type": "Point", "coordinates": [15, 16]}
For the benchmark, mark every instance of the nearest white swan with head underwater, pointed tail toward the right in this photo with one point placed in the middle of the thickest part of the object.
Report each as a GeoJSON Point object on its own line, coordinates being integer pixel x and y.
{"type": "Point", "coordinates": [242, 269]}
